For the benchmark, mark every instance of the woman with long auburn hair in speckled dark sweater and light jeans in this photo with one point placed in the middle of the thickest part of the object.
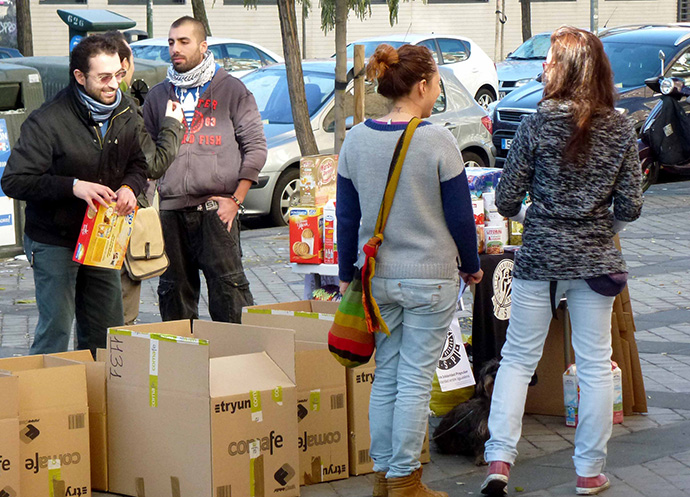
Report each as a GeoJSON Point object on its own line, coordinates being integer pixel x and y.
{"type": "Point", "coordinates": [577, 158]}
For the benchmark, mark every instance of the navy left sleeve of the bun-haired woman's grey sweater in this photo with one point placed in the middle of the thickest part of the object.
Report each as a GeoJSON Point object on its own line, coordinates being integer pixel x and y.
{"type": "Point", "coordinates": [348, 213]}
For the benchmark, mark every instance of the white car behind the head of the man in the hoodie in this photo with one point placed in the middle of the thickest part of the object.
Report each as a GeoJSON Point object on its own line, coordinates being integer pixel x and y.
{"type": "Point", "coordinates": [238, 57]}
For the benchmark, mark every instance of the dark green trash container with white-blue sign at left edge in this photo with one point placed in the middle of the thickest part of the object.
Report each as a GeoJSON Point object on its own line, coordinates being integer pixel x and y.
{"type": "Point", "coordinates": [20, 94]}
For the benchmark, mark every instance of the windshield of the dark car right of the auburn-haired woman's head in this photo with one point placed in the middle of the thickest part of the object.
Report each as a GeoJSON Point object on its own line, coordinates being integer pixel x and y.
{"type": "Point", "coordinates": [632, 63]}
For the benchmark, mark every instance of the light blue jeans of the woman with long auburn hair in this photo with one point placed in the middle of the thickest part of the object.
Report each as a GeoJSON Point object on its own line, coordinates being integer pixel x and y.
{"type": "Point", "coordinates": [530, 315]}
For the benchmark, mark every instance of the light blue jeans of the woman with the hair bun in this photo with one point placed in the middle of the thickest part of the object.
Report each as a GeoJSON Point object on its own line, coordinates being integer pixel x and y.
{"type": "Point", "coordinates": [418, 313]}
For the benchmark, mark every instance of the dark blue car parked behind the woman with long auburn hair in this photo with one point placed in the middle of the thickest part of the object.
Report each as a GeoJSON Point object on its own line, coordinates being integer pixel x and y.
{"type": "Point", "coordinates": [634, 55]}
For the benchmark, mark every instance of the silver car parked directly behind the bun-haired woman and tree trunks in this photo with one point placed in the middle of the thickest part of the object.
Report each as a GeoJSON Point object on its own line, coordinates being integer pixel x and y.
{"type": "Point", "coordinates": [278, 186]}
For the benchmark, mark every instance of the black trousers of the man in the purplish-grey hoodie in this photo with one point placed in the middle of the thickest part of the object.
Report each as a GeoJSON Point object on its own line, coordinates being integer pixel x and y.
{"type": "Point", "coordinates": [198, 240]}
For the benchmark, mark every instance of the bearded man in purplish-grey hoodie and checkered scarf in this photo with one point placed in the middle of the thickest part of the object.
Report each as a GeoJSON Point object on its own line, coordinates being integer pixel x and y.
{"type": "Point", "coordinates": [203, 190]}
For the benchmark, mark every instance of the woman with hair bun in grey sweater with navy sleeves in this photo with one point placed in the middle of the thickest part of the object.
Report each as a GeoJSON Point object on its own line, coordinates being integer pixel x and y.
{"type": "Point", "coordinates": [430, 241]}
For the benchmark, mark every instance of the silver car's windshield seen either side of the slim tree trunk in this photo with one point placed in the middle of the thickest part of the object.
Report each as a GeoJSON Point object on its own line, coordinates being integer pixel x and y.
{"type": "Point", "coordinates": [270, 91]}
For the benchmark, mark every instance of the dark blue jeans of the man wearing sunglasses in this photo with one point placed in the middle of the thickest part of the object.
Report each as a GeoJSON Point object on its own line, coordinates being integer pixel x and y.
{"type": "Point", "coordinates": [65, 288]}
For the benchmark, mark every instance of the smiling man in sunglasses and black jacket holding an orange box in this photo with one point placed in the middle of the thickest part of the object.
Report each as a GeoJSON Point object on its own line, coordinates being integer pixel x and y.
{"type": "Point", "coordinates": [79, 150]}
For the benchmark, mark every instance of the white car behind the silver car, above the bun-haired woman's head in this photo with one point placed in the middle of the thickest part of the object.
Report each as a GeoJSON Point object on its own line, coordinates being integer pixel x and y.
{"type": "Point", "coordinates": [466, 59]}
